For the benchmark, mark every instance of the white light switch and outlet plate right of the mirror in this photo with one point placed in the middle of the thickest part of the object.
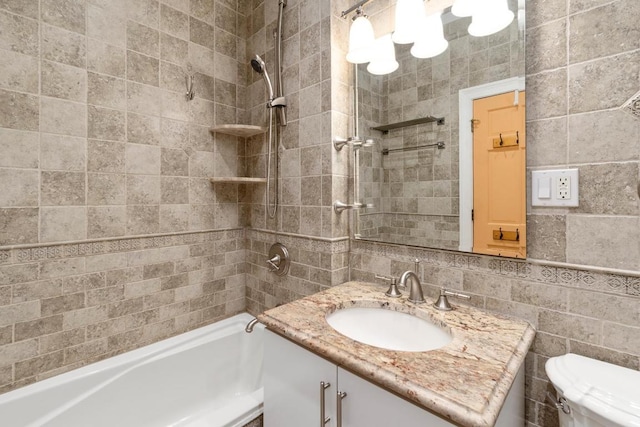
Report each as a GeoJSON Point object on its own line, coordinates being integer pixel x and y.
{"type": "Point", "coordinates": [563, 189]}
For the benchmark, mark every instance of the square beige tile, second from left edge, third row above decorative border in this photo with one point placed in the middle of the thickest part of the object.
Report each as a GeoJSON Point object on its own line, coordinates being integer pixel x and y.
{"type": "Point", "coordinates": [63, 153]}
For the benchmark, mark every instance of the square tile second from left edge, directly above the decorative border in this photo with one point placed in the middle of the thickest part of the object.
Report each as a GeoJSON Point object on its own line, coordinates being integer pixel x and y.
{"type": "Point", "coordinates": [59, 224]}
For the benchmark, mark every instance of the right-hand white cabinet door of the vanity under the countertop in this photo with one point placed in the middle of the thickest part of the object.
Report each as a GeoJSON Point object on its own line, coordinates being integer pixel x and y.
{"type": "Point", "coordinates": [367, 405]}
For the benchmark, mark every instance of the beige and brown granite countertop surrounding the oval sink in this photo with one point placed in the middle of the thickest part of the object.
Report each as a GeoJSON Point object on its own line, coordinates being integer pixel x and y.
{"type": "Point", "coordinates": [465, 381]}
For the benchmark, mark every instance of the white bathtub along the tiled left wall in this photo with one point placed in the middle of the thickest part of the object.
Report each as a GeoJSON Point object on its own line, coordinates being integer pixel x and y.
{"type": "Point", "coordinates": [209, 377]}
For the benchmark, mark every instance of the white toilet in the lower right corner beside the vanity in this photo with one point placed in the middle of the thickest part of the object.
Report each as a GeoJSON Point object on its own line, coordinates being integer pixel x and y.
{"type": "Point", "coordinates": [593, 393]}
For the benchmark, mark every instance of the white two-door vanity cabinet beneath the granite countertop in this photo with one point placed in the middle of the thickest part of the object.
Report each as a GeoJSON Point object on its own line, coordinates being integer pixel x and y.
{"type": "Point", "coordinates": [293, 394]}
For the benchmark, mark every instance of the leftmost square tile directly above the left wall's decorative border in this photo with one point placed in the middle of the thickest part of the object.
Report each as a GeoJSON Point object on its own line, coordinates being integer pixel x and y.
{"type": "Point", "coordinates": [18, 226]}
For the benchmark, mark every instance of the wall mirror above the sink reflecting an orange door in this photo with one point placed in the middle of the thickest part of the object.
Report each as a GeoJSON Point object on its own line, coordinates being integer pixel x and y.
{"type": "Point", "coordinates": [425, 181]}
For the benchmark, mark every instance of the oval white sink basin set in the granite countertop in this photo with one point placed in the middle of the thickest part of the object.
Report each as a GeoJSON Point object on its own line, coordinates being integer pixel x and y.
{"type": "Point", "coordinates": [388, 329]}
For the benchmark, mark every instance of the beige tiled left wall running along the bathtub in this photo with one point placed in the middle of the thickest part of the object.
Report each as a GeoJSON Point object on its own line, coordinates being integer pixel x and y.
{"type": "Point", "coordinates": [111, 235]}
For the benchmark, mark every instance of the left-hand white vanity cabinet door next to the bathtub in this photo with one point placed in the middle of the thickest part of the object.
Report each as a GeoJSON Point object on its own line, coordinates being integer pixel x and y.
{"type": "Point", "coordinates": [292, 377]}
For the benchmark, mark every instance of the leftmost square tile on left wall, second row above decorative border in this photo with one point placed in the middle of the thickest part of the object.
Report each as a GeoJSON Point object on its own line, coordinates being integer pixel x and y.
{"type": "Point", "coordinates": [20, 188]}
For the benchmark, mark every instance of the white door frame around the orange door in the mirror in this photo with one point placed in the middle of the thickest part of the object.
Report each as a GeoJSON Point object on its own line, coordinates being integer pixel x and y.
{"type": "Point", "coordinates": [465, 102]}
